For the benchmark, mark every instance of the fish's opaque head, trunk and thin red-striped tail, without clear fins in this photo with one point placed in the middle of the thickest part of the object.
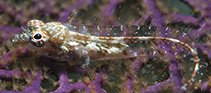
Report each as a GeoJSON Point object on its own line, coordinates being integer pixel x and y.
{"type": "Point", "coordinates": [58, 40]}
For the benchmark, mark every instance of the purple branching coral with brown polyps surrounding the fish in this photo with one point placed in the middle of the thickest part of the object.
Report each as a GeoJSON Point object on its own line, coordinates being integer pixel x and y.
{"type": "Point", "coordinates": [19, 74]}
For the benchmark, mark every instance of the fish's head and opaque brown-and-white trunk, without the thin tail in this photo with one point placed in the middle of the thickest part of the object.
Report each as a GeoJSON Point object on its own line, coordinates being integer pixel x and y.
{"type": "Point", "coordinates": [57, 41]}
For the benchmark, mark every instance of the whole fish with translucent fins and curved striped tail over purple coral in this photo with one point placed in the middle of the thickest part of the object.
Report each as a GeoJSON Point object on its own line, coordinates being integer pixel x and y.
{"type": "Point", "coordinates": [64, 41]}
